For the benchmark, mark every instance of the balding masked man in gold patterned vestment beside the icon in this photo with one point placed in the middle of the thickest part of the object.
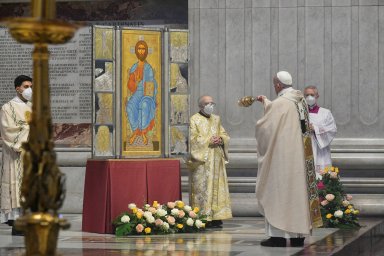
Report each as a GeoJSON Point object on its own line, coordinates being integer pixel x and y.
{"type": "Point", "coordinates": [209, 155]}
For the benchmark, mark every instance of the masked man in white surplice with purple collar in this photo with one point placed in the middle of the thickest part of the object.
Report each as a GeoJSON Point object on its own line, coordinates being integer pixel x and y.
{"type": "Point", "coordinates": [323, 127]}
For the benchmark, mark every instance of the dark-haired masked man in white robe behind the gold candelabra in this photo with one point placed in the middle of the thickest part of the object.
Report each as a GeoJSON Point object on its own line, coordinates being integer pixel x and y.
{"type": "Point", "coordinates": [15, 116]}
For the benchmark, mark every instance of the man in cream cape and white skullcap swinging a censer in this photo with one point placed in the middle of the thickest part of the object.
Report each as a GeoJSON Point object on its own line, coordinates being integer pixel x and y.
{"type": "Point", "coordinates": [286, 181]}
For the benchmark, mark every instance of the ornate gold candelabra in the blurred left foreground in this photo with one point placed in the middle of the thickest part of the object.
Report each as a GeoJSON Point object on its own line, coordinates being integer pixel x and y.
{"type": "Point", "coordinates": [42, 191]}
